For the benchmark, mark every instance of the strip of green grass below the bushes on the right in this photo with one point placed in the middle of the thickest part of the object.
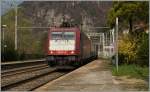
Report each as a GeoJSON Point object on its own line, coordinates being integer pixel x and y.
{"type": "Point", "coordinates": [131, 71]}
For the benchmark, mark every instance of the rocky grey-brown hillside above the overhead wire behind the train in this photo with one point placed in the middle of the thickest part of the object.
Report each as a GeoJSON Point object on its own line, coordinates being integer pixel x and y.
{"type": "Point", "coordinates": [45, 13]}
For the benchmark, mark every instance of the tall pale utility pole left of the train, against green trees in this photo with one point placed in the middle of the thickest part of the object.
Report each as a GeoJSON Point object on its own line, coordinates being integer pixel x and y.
{"type": "Point", "coordinates": [16, 19]}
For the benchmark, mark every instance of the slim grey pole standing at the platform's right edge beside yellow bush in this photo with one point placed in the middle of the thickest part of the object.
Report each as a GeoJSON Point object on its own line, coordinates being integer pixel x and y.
{"type": "Point", "coordinates": [116, 43]}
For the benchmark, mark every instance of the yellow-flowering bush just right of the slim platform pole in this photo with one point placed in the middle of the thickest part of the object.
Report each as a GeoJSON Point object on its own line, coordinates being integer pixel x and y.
{"type": "Point", "coordinates": [127, 50]}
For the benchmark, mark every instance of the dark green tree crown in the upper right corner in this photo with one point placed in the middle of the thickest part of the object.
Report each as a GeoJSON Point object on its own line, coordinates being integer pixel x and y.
{"type": "Point", "coordinates": [129, 12]}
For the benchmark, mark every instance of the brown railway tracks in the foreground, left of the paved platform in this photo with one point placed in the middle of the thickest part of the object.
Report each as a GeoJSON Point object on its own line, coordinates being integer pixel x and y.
{"type": "Point", "coordinates": [29, 78]}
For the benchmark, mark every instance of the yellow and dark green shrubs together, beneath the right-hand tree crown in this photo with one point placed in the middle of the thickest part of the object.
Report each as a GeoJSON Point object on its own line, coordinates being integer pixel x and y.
{"type": "Point", "coordinates": [134, 50]}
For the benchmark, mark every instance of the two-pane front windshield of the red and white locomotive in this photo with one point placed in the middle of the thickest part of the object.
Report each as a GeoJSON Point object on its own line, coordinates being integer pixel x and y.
{"type": "Point", "coordinates": [63, 35]}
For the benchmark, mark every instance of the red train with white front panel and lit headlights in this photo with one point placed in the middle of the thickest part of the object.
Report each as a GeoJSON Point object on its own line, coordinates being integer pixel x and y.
{"type": "Point", "coordinates": [69, 46]}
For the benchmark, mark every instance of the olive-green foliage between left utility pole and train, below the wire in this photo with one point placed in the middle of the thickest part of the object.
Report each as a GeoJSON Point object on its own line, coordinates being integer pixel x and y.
{"type": "Point", "coordinates": [31, 44]}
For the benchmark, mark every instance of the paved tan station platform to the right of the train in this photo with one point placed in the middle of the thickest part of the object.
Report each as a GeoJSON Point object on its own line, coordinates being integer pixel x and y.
{"type": "Point", "coordinates": [96, 76]}
